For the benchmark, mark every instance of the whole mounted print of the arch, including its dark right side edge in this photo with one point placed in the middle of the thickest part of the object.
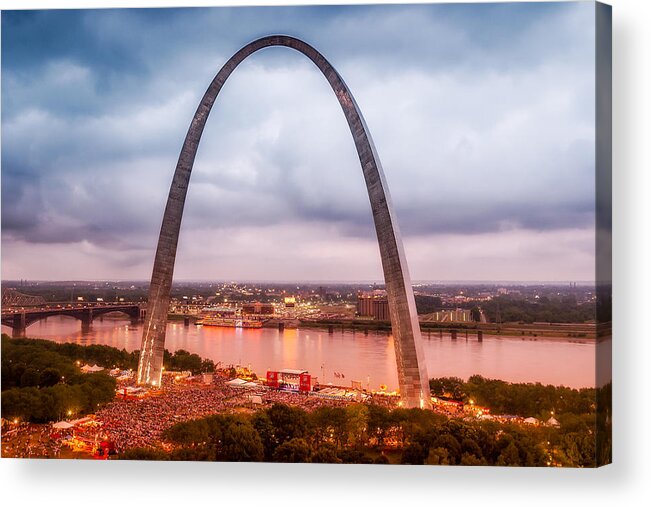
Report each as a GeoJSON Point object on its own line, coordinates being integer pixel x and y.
{"type": "Point", "coordinates": [423, 279]}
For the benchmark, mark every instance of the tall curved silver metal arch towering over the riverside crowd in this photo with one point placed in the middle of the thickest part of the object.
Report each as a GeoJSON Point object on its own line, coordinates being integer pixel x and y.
{"type": "Point", "coordinates": [412, 372]}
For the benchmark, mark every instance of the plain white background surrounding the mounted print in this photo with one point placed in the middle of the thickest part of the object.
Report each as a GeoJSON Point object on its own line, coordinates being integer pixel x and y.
{"type": "Point", "coordinates": [626, 482]}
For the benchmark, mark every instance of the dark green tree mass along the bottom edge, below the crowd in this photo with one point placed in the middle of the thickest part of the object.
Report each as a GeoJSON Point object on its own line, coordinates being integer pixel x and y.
{"type": "Point", "coordinates": [367, 434]}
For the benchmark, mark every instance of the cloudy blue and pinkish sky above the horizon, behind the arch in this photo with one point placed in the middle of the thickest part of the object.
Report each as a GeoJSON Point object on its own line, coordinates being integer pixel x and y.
{"type": "Point", "coordinates": [483, 117]}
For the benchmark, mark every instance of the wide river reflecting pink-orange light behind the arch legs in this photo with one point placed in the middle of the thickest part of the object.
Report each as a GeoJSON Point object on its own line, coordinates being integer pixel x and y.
{"type": "Point", "coordinates": [368, 358]}
